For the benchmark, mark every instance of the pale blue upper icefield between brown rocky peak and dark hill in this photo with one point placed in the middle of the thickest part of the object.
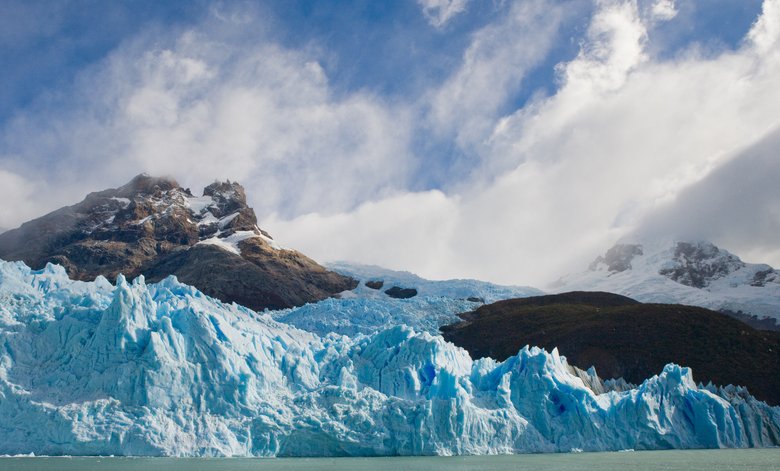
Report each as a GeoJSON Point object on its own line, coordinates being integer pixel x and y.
{"type": "Point", "coordinates": [366, 310]}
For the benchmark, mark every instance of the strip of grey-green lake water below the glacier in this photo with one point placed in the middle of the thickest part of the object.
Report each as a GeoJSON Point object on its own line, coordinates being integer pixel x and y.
{"type": "Point", "coordinates": [704, 460]}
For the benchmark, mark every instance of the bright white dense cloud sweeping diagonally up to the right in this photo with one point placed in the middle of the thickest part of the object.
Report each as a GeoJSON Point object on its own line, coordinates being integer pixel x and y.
{"type": "Point", "coordinates": [623, 135]}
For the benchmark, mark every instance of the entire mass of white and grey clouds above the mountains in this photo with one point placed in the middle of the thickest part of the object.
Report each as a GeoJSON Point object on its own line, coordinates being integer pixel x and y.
{"type": "Point", "coordinates": [620, 145]}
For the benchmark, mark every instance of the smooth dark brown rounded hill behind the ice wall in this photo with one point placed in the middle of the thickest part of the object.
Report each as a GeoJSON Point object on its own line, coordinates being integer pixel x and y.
{"type": "Point", "coordinates": [624, 338]}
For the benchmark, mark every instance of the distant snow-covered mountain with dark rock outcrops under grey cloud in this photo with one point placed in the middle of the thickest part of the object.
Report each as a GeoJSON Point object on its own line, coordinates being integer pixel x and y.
{"type": "Point", "coordinates": [693, 273]}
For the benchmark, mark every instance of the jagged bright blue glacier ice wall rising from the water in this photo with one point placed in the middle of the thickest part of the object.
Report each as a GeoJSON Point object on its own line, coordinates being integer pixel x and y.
{"type": "Point", "coordinates": [161, 369]}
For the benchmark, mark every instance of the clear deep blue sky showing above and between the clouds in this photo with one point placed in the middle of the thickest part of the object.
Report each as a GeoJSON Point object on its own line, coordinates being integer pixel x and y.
{"type": "Point", "coordinates": [386, 47]}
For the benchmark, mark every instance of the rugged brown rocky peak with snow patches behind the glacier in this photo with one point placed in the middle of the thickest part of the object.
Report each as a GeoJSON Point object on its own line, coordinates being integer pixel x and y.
{"type": "Point", "coordinates": [152, 226]}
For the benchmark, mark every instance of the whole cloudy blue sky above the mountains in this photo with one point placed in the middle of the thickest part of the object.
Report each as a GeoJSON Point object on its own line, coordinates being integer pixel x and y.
{"type": "Point", "coordinates": [506, 140]}
